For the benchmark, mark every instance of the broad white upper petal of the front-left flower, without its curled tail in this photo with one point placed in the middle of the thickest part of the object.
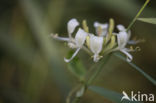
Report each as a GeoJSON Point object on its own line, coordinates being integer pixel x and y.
{"type": "Point", "coordinates": [80, 37]}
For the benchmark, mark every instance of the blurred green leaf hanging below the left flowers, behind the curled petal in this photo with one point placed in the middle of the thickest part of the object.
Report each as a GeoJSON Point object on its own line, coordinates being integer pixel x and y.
{"type": "Point", "coordinates": [76, 67]}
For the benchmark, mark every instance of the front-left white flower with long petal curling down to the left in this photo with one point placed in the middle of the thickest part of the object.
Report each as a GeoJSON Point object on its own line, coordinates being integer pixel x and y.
{"type": "Point", "coordinates": [79, 41]}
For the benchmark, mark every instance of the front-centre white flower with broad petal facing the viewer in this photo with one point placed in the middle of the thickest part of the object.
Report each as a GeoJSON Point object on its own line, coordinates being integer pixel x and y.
{"type": "Point", "coordinates": [96, 44]}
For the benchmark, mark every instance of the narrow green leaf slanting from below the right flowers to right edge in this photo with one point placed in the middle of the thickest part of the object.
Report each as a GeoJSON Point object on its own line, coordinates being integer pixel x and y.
{"type": "Point", "coordinates": [137, 68]}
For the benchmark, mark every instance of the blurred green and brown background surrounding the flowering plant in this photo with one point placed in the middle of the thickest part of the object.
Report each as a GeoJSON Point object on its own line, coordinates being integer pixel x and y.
{"type": "Point", "coordinates": [32, 69]}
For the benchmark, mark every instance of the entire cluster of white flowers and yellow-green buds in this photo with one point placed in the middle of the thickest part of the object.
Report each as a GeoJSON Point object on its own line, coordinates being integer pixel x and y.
{"type": "Point", "coordinates": [105, 41]}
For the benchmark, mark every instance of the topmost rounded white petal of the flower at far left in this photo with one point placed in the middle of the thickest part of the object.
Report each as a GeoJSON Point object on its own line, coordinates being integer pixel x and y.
{"type": "Point", "coordinates": [71, 25]}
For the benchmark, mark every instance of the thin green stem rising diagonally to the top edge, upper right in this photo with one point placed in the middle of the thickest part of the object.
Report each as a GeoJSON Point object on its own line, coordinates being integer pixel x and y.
{"type": "Point", "coordinates": [138, 14]}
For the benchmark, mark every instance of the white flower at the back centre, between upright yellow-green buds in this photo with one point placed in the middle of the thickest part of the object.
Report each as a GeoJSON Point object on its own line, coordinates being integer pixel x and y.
{"type": "Point", "coordinates": [101, 29]}
